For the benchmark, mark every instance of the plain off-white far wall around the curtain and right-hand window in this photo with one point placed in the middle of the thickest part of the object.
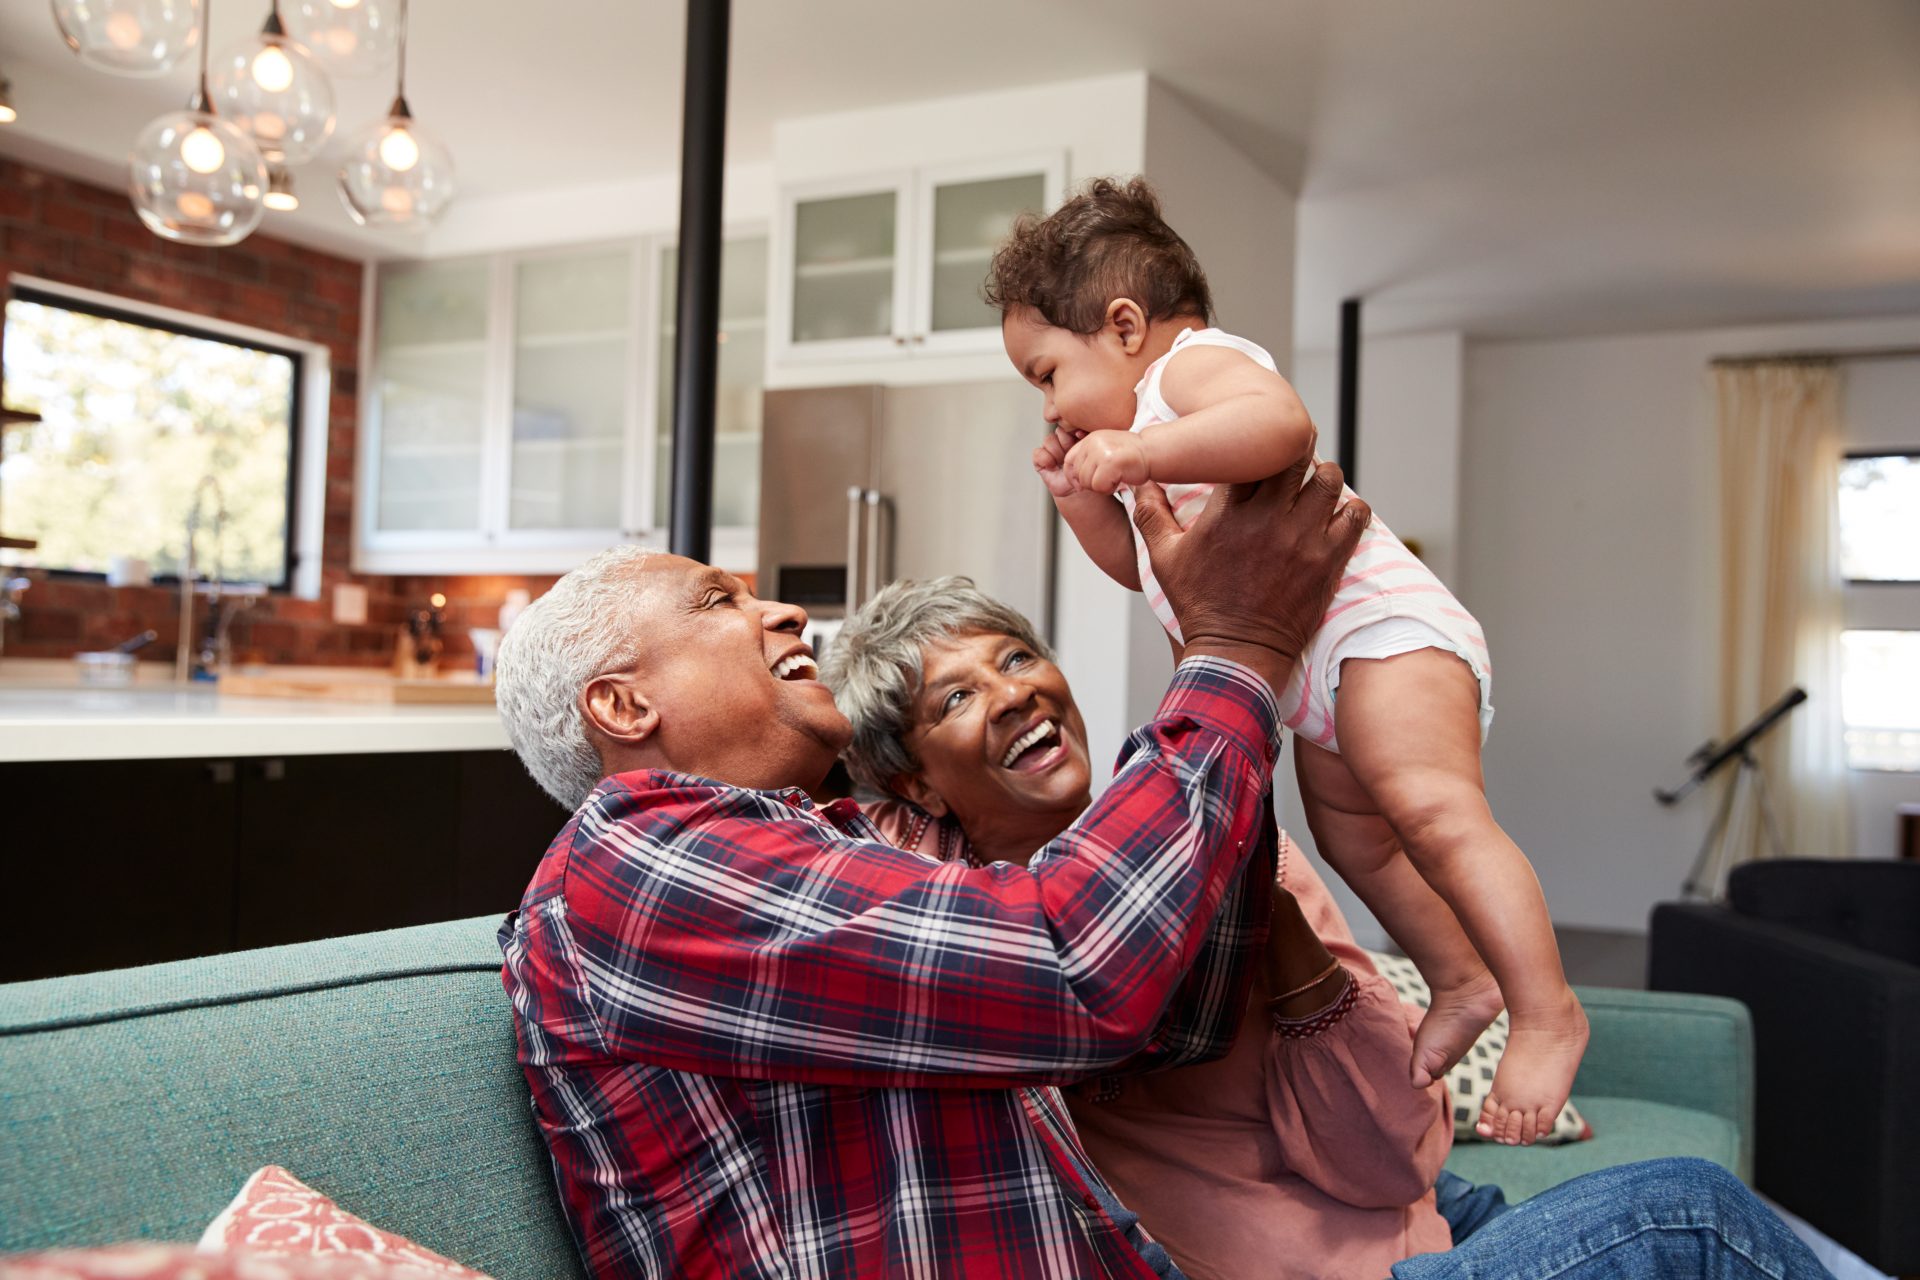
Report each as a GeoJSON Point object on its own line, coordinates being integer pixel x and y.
{"type": "Point", "coordinates": [1589, 552]}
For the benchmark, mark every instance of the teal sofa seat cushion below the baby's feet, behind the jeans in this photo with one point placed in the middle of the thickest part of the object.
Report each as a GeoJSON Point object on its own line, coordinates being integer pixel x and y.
{"type": "Point", "coordinates": [1625, 1129]}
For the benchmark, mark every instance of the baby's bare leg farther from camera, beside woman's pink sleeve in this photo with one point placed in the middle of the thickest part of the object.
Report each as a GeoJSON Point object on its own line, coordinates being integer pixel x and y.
{"type": "Point", "coordinates": [1362, 847]}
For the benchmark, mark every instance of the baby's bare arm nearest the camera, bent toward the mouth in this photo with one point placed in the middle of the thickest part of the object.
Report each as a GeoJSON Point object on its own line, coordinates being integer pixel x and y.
{"type": "Point", "coordinates": [1237, 423]}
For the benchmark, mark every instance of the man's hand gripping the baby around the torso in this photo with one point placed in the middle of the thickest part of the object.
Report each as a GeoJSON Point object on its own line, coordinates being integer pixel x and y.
{"type": "Point", "coordinates": [1255, 573]}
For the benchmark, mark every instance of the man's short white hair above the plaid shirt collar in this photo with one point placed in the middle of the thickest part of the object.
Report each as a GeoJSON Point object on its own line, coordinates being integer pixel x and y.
{"type": "Point", "coordinates": [581, 628]}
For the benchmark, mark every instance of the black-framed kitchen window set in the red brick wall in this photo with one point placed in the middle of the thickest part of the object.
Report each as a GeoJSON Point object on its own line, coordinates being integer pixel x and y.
{"type": "Point", "coordinates": [137, 412]}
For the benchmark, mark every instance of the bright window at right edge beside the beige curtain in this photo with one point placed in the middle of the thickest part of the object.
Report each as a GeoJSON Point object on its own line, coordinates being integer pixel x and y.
{"type": "Point", "coordinates": [1881, 650]}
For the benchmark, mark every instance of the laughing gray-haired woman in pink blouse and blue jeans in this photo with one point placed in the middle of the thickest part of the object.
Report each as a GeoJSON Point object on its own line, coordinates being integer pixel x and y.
{"type": "Point", "coordinates": [1303, 1152]}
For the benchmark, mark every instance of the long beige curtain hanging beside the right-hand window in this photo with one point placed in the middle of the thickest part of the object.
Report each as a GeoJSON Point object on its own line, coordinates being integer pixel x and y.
{"type": "Point", "coordinates": [1781, 613]}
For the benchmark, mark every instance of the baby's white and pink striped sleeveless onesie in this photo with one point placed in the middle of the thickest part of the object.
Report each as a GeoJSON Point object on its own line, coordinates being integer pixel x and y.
{"type": "Point", "coordinates": [1389, 604]}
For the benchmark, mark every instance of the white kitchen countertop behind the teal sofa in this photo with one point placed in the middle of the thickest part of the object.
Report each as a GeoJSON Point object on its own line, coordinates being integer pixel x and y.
{"type": "Point", "coordinates": [45, 715]}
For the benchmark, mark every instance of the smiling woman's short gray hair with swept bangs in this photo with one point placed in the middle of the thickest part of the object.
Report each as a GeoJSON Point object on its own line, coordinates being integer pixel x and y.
{"type": "Point", "coordinates": [875, 665]}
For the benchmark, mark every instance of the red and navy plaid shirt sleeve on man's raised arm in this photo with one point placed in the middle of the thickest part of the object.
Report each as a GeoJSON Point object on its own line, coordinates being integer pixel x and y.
{"type": "Point", "coordinates": [742, 937]}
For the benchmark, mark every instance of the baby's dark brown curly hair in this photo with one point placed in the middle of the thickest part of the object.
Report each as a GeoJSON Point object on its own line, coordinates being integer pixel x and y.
{"type": "Point", "coordinates": [1101, 245]}
